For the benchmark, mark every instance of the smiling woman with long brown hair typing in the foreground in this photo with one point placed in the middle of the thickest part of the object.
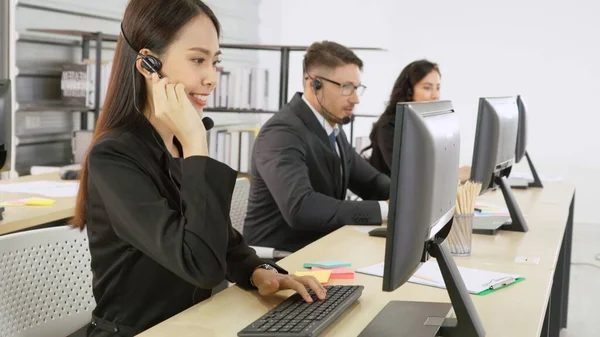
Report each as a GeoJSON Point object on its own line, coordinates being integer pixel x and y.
{"type": "Point", "coordinates": [155, 206]}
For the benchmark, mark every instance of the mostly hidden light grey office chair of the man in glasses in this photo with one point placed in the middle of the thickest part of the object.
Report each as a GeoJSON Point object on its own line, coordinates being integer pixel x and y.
{"type": "Point", "coordinates": [239, 207]}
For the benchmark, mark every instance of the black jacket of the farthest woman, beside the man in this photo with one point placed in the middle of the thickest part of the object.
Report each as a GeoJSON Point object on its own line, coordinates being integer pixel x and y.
{"type": "Point", "coordinates": [382, 144]}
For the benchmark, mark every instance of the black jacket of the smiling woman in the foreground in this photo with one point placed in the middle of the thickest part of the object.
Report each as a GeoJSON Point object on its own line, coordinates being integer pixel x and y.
{"type": "Point", "coordinates": [159, 231]}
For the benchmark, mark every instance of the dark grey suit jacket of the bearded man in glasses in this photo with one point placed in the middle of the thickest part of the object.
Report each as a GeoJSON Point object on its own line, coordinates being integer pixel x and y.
{"type": "Point", "coordinates": [297, 188]}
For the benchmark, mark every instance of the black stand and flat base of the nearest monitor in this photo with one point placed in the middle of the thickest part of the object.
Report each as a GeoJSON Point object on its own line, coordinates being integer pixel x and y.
{"type": "Point", "coordinates": [429, 319]}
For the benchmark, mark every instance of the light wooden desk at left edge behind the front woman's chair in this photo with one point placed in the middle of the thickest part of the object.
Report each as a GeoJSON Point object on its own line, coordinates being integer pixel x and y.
{"type": "Point", "coordinates": [17, 218]}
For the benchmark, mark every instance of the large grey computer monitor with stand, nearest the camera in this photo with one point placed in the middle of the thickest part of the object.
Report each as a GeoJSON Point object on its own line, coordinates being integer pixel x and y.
{"type": "Point", "coordinates": [424, 180]}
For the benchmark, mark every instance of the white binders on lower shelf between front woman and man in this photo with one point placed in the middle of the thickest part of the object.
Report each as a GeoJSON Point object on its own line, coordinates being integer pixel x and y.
{"type": "Point", "coordinates": [232, 145]}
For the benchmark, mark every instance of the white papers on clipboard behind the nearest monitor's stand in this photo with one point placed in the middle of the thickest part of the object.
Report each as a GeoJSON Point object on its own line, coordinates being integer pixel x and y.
{"type": "Point", "coordinates": [477, 281]}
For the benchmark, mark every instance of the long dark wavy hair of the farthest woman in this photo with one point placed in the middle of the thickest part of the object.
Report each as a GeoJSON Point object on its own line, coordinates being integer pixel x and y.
{"type": "Point", "coordinates": [403, 91]}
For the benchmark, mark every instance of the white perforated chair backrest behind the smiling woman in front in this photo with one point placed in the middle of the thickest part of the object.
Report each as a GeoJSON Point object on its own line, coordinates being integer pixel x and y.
{"type": "Point", "coordinates": [45, 282]}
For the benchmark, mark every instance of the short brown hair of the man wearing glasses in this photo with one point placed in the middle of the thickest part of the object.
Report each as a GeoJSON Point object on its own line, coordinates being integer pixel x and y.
{"type": "Point", "coordinates": [330, 55]}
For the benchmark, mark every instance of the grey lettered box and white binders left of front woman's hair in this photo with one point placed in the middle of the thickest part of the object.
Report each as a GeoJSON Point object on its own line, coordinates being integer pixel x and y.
{"type": "Point", "coordinates": [78, 83]}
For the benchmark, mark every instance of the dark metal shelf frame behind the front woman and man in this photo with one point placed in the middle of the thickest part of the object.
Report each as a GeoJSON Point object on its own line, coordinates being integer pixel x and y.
{"type": "Point", "coordinates": [99, 38]}
